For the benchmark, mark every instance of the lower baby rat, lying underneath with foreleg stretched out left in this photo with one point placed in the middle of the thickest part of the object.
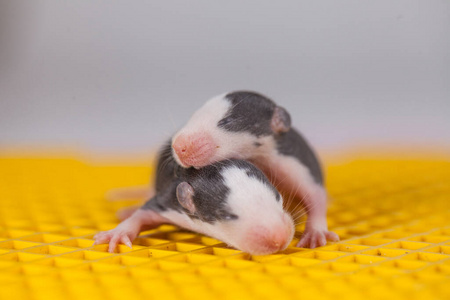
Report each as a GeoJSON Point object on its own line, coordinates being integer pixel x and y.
{"type": "Point", "coordinates": [230, 200]}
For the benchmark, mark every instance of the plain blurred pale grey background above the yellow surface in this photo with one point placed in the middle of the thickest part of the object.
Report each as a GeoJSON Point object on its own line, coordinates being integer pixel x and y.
{"type": "Point", "coordinates": [122, 76]}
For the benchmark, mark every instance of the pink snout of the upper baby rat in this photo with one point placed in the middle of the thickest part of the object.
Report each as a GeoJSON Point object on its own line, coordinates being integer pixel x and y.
{"type": "Point", "coordinates": [194, 150]}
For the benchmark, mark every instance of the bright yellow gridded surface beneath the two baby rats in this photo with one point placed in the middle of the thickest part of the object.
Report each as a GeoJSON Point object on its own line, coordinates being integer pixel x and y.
{"type": "Point", "coordinates": [393, 217]}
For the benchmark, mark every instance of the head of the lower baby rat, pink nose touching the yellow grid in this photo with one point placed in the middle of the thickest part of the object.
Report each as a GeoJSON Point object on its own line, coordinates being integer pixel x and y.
{"type": "Point", "coordinates": [234, 202]}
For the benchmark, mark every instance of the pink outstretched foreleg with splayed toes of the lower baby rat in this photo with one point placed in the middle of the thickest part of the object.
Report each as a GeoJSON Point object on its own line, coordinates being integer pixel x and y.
{"type": "Point", "coordinates": [129, 229]}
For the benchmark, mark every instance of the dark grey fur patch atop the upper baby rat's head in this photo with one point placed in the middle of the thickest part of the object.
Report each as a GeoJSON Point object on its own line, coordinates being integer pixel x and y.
{"type": "Point", "coordinates": [249, 112]}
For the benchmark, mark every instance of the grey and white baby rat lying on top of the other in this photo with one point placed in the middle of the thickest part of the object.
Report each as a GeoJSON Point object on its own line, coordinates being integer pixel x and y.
{"type": "Point", "coordinates": [249, 126]}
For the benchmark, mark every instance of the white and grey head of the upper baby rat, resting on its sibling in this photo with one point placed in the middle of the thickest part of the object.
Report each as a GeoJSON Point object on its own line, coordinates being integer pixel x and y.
{"type": "Point", "coordinates": [238, 125]}
